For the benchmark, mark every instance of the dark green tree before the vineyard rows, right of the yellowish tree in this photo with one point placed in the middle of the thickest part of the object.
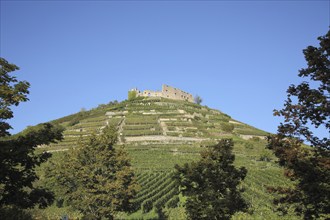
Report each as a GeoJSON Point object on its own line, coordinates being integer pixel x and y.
{"type": "Point", "coordinates": [211, 184]}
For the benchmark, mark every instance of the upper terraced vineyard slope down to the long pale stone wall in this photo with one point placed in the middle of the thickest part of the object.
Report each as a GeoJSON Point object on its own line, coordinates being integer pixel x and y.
{"type": "Point", "coordinates": [155, 120]}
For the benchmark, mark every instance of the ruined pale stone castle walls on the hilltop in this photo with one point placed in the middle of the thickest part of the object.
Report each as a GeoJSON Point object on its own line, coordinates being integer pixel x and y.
{"type": "Point", "coordinates": [167, 92]}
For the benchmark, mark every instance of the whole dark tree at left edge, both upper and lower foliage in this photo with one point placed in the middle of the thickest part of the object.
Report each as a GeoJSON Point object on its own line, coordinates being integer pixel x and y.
{"type": "Point", "coordinates": [17, 157]}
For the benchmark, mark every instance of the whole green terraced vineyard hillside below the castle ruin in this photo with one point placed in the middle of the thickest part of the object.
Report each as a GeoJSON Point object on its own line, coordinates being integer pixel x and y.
{"type": "Point", "coordinates": [159, 133]}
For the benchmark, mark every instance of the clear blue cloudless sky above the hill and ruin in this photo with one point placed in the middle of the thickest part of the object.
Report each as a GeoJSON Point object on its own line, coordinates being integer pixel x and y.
{"type": "Point", "coordinates": [239, 56]}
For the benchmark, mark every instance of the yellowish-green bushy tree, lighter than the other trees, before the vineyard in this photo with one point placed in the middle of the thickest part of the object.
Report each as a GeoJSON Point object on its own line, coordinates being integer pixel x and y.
{"type": "Point", "coordinates": [94, 177]}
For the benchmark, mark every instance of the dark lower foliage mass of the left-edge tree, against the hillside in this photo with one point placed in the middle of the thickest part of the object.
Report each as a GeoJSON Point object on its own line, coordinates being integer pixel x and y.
{"type": "Point", "coordinates": [17, 166]}
